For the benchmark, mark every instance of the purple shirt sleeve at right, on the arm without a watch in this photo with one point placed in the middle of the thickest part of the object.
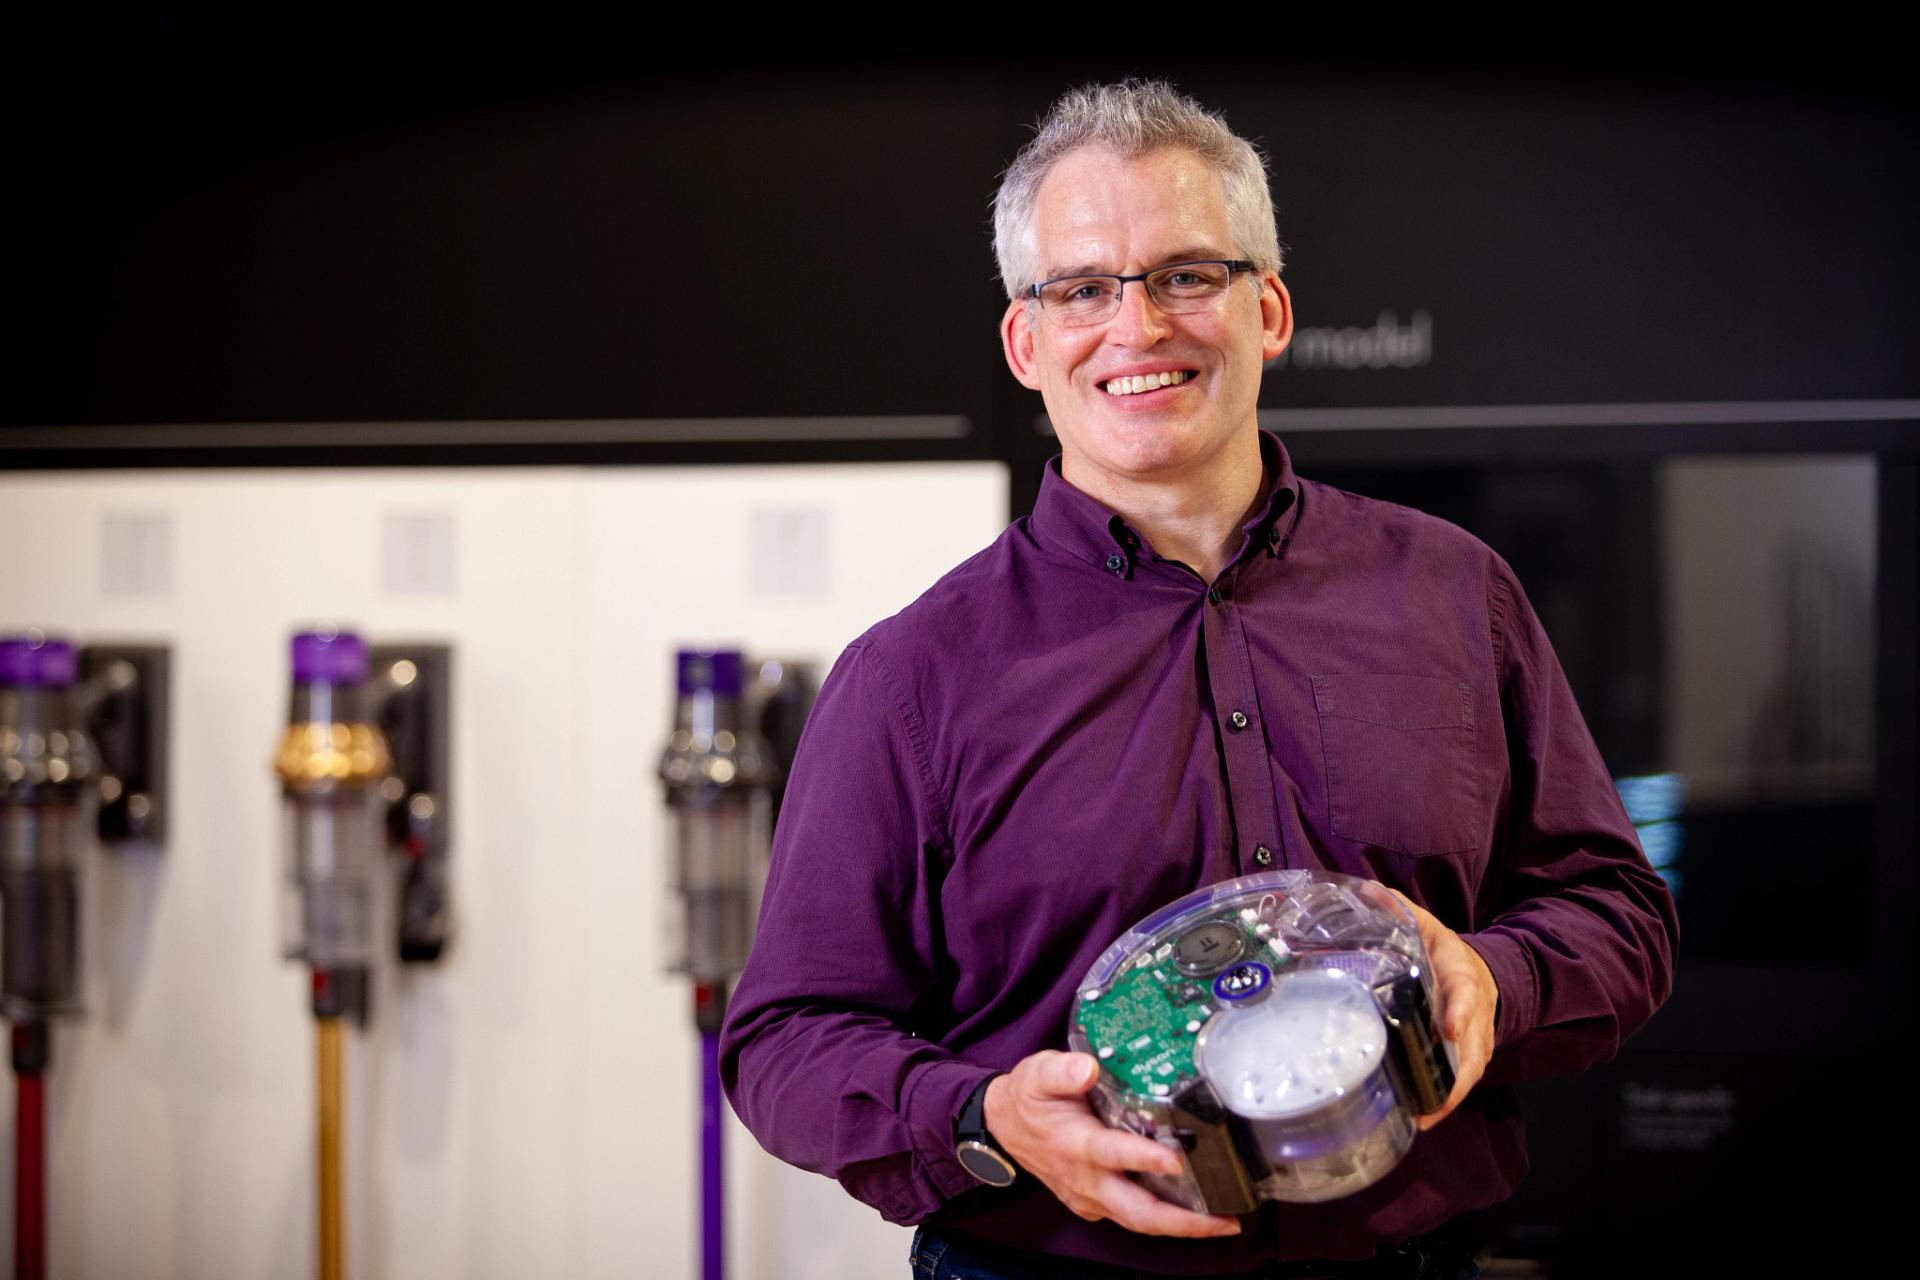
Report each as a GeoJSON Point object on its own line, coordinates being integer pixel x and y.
{"type": "Point", "coordinates": [1583, 932]}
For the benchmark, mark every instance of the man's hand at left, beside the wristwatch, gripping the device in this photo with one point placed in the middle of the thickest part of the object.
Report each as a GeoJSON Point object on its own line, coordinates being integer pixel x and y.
{"type": "Point", "coordinates": [1040, 1116]}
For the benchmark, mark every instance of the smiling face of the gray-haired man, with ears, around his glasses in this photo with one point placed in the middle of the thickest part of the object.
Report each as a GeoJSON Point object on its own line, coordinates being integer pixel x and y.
{"type": "Point", "coordinates": [1103, 214]}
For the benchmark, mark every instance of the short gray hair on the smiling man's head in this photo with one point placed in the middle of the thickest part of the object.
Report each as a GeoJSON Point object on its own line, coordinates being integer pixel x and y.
{"type": "Point", "coordinates": [1134, 118]}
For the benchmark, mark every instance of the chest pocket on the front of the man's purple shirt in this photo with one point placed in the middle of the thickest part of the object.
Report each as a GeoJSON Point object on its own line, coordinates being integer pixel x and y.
{"type": "Point", "coordinates": [1401, 761]}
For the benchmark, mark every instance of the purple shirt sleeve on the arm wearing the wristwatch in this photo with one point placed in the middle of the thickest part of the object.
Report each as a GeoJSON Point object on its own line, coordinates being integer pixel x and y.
{"type": "Point", "coordinates": [819, 1053]}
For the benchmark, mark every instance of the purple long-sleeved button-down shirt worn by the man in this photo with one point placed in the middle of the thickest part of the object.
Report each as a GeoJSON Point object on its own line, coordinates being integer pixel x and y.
{"type": "Point", "coordinates": [1068, 732]}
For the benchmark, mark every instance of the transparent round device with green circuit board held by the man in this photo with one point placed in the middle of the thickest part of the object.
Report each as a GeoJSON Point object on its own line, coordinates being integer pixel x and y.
{"type": "Point", "coordinates": [1276, 1031]}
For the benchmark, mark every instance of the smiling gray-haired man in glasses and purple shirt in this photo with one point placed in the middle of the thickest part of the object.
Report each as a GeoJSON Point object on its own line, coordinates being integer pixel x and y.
{"type": "Point", "coordinates": [1188, 665]}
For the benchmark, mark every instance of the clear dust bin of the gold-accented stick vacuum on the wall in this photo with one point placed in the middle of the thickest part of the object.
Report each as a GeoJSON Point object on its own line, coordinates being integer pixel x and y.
{"type": "Point", "coordinates": [333, 845]}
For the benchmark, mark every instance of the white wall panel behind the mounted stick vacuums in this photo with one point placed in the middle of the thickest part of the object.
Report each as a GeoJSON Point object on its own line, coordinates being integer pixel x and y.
{"type": "Point", "coordinates": [529, 1106]}
